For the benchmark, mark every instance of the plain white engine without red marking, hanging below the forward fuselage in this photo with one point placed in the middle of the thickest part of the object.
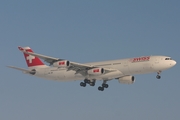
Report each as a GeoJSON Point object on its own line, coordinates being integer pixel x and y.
{"type": "Point", "coordinates": [127, 80]}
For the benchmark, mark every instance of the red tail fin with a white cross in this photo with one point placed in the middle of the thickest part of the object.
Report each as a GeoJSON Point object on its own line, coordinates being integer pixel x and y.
{"type": "Point", "coordinates": [32, 61]}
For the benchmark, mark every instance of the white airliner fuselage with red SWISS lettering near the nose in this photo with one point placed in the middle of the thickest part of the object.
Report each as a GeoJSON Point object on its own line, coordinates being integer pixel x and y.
{"type": "Point", "coordinates": [131, 66]}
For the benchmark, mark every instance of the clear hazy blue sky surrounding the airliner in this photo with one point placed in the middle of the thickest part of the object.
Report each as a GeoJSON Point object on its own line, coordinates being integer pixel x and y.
{"type": "Point", "coordinates": [87, 31]}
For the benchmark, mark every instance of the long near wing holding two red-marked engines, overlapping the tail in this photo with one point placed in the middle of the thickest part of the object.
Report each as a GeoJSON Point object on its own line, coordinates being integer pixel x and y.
{"type": "Point", "coordinates": [77, 67]}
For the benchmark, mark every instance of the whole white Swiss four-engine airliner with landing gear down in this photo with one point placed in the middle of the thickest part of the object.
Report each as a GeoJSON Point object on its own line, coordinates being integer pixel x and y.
{"type": "Point", "coordinates": [122, 70]}
